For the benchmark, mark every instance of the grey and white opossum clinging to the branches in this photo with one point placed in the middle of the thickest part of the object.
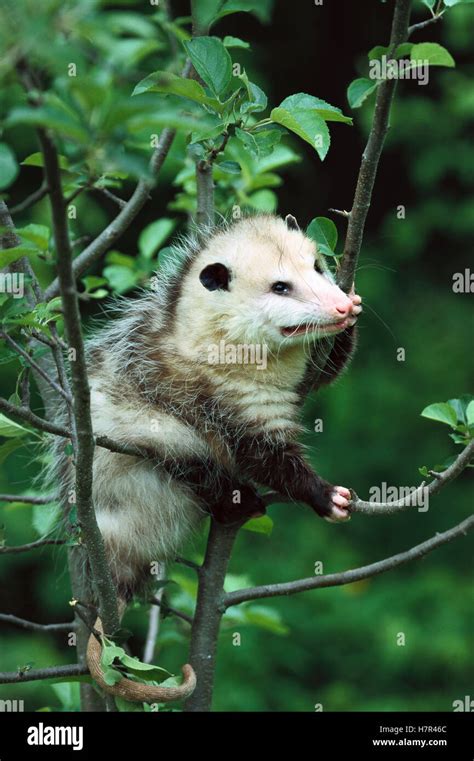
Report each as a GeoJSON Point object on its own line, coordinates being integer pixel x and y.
{"type": "Point", "coordinates": [166, 377]}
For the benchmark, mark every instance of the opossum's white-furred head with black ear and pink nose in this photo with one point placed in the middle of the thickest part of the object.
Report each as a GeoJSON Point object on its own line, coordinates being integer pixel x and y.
{"type": "Point", "coordinates": [261, 281]}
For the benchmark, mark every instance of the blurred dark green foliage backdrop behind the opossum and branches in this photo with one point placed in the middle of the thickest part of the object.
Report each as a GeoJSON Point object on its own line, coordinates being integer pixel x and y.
{"type": "Point", "coordinates": [335, 647]}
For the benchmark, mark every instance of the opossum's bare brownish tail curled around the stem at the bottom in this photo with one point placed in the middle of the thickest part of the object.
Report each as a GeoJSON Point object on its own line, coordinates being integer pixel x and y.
{"type": "Point", "coordinates": [136, 692]}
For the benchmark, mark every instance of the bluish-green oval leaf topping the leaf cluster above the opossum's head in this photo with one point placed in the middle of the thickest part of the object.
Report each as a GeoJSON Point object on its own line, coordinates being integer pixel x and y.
{"type": "Point", "coordinates": [211, 61]}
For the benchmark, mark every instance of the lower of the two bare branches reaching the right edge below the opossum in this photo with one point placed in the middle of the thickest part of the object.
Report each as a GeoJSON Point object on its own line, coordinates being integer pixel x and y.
{"type": "Point", "coordinates": [348, 577]}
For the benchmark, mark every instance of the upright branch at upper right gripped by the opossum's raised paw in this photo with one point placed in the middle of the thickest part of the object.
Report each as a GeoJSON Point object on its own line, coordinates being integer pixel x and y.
{"type": "Point", "coordinates": [372, 153]}
